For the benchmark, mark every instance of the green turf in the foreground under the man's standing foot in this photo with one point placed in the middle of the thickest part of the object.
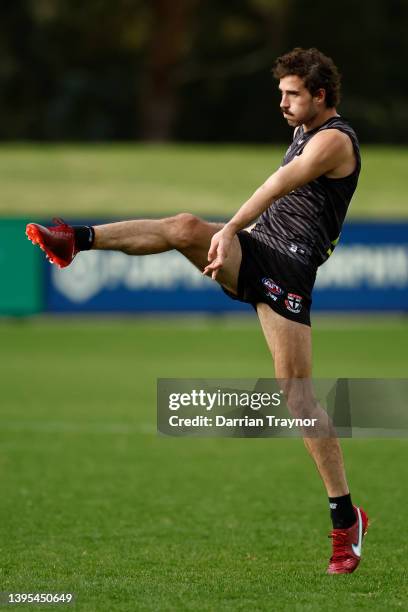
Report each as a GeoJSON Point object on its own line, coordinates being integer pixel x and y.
{"type": "Point", "coordinates": [92, 501]}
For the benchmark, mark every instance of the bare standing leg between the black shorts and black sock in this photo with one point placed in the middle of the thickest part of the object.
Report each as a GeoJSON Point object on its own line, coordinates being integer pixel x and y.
{"type": "Point", "coordinates": [291, 347]}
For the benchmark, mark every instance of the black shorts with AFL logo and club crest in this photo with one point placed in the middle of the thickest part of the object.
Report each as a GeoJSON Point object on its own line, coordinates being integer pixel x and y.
{"type": "Point", "coordinates": [268, 276]}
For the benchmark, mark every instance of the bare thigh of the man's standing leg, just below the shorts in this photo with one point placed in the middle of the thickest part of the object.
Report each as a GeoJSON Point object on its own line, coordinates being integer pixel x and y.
{"type": "Point", "coordinates": [289, 342]}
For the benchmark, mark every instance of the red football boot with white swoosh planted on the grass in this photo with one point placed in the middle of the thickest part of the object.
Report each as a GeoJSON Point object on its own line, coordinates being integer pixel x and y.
{"type": "Point", "coordinates": [347, 545]}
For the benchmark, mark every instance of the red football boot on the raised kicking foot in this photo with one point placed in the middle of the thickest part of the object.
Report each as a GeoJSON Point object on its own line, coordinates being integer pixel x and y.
{"type": "Point", "coordinates": [58, 242]}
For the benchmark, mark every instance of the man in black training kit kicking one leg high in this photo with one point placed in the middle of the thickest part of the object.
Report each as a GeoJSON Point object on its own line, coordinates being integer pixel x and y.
{"type": "Point", "coordinates": [269, 252]}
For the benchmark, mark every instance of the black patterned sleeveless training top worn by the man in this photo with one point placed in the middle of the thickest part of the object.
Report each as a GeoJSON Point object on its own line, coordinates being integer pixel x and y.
{"type": "Point", "coordinates": [306, 223]}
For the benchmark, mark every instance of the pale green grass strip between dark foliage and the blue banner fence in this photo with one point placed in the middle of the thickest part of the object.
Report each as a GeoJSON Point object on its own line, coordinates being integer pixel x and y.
{"type": "Point", "coordinates": [120, 180]}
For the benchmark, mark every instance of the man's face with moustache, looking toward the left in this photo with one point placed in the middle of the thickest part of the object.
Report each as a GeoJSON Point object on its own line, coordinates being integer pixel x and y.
{"type": "Point", "coordinates": [297, 104]}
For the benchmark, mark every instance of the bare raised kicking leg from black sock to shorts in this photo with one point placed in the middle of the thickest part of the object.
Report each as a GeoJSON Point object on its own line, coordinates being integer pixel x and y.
{"type": "Point", "coordinates": [186, 233]}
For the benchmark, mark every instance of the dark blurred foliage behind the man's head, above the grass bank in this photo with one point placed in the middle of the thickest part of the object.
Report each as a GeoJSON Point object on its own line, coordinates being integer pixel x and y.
{"type": "Point", "coordinates": [191, 70]}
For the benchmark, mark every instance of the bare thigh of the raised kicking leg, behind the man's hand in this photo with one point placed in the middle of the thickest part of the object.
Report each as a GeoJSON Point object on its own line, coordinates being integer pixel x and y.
{"type": "Point", "coordinates": [197, 253]}
